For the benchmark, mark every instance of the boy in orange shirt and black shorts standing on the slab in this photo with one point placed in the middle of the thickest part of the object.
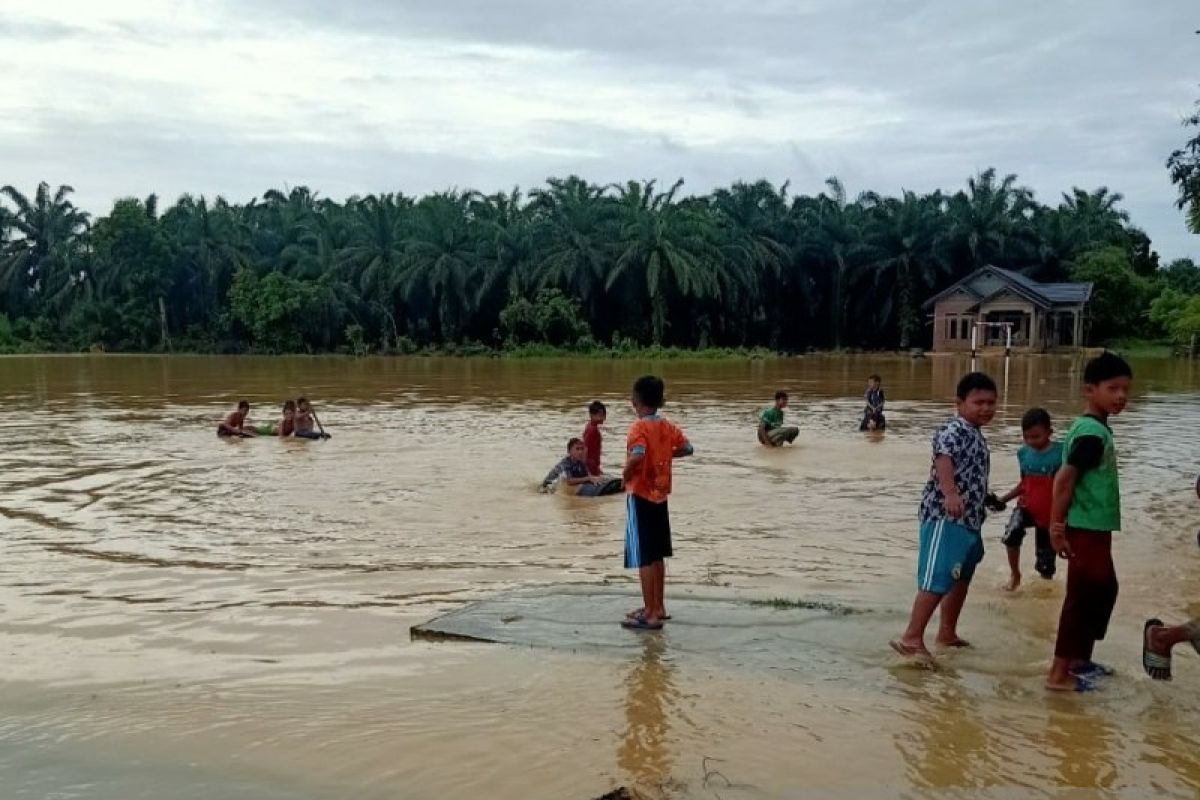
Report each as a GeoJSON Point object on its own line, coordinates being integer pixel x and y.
{"type": "Point", "coordinates": [652, 446]}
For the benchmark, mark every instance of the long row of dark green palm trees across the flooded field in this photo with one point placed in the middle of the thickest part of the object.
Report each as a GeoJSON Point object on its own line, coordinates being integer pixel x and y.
{"type": "Point", "coordinates": [749, 264]}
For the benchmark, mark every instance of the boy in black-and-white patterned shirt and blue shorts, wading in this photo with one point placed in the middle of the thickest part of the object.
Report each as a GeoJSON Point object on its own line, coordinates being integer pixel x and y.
{"type": "Point", "coordinates": [952, 514]}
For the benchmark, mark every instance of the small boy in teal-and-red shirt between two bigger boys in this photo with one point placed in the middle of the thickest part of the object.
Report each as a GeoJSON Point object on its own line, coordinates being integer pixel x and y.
{"type": "Point", "coordinates": [1040, 459]}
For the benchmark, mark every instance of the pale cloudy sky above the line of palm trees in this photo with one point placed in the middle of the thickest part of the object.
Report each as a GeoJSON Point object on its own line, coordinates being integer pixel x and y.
{"type": "Point", "coordinates": [238, 97]}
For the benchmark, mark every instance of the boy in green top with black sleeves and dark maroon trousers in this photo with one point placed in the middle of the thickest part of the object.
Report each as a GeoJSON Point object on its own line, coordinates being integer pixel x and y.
{"type": "Point", "coordinates": [1085, 512]}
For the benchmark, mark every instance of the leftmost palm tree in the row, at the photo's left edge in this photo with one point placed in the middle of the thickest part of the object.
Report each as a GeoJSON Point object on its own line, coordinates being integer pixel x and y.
{"type": "Point", "coordinates": [43, 258]}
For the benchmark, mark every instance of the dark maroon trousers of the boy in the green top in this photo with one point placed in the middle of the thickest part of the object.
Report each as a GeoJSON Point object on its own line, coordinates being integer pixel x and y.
{"type": "Point", "coordinates": [1091, 594]}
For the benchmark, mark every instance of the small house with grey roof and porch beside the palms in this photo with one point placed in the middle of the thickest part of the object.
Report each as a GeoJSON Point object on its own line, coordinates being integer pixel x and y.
{"type": "Point", "coordinates": [995, 308]}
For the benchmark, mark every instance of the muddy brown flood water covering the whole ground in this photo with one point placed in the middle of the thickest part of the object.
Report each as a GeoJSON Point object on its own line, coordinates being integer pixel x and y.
{"type": "Point", "coordinates": [185, 617]}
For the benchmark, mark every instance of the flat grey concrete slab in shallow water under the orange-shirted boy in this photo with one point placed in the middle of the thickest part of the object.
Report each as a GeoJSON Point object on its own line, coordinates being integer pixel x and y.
{"type": "Point", "coordinates": [566, 619]}
